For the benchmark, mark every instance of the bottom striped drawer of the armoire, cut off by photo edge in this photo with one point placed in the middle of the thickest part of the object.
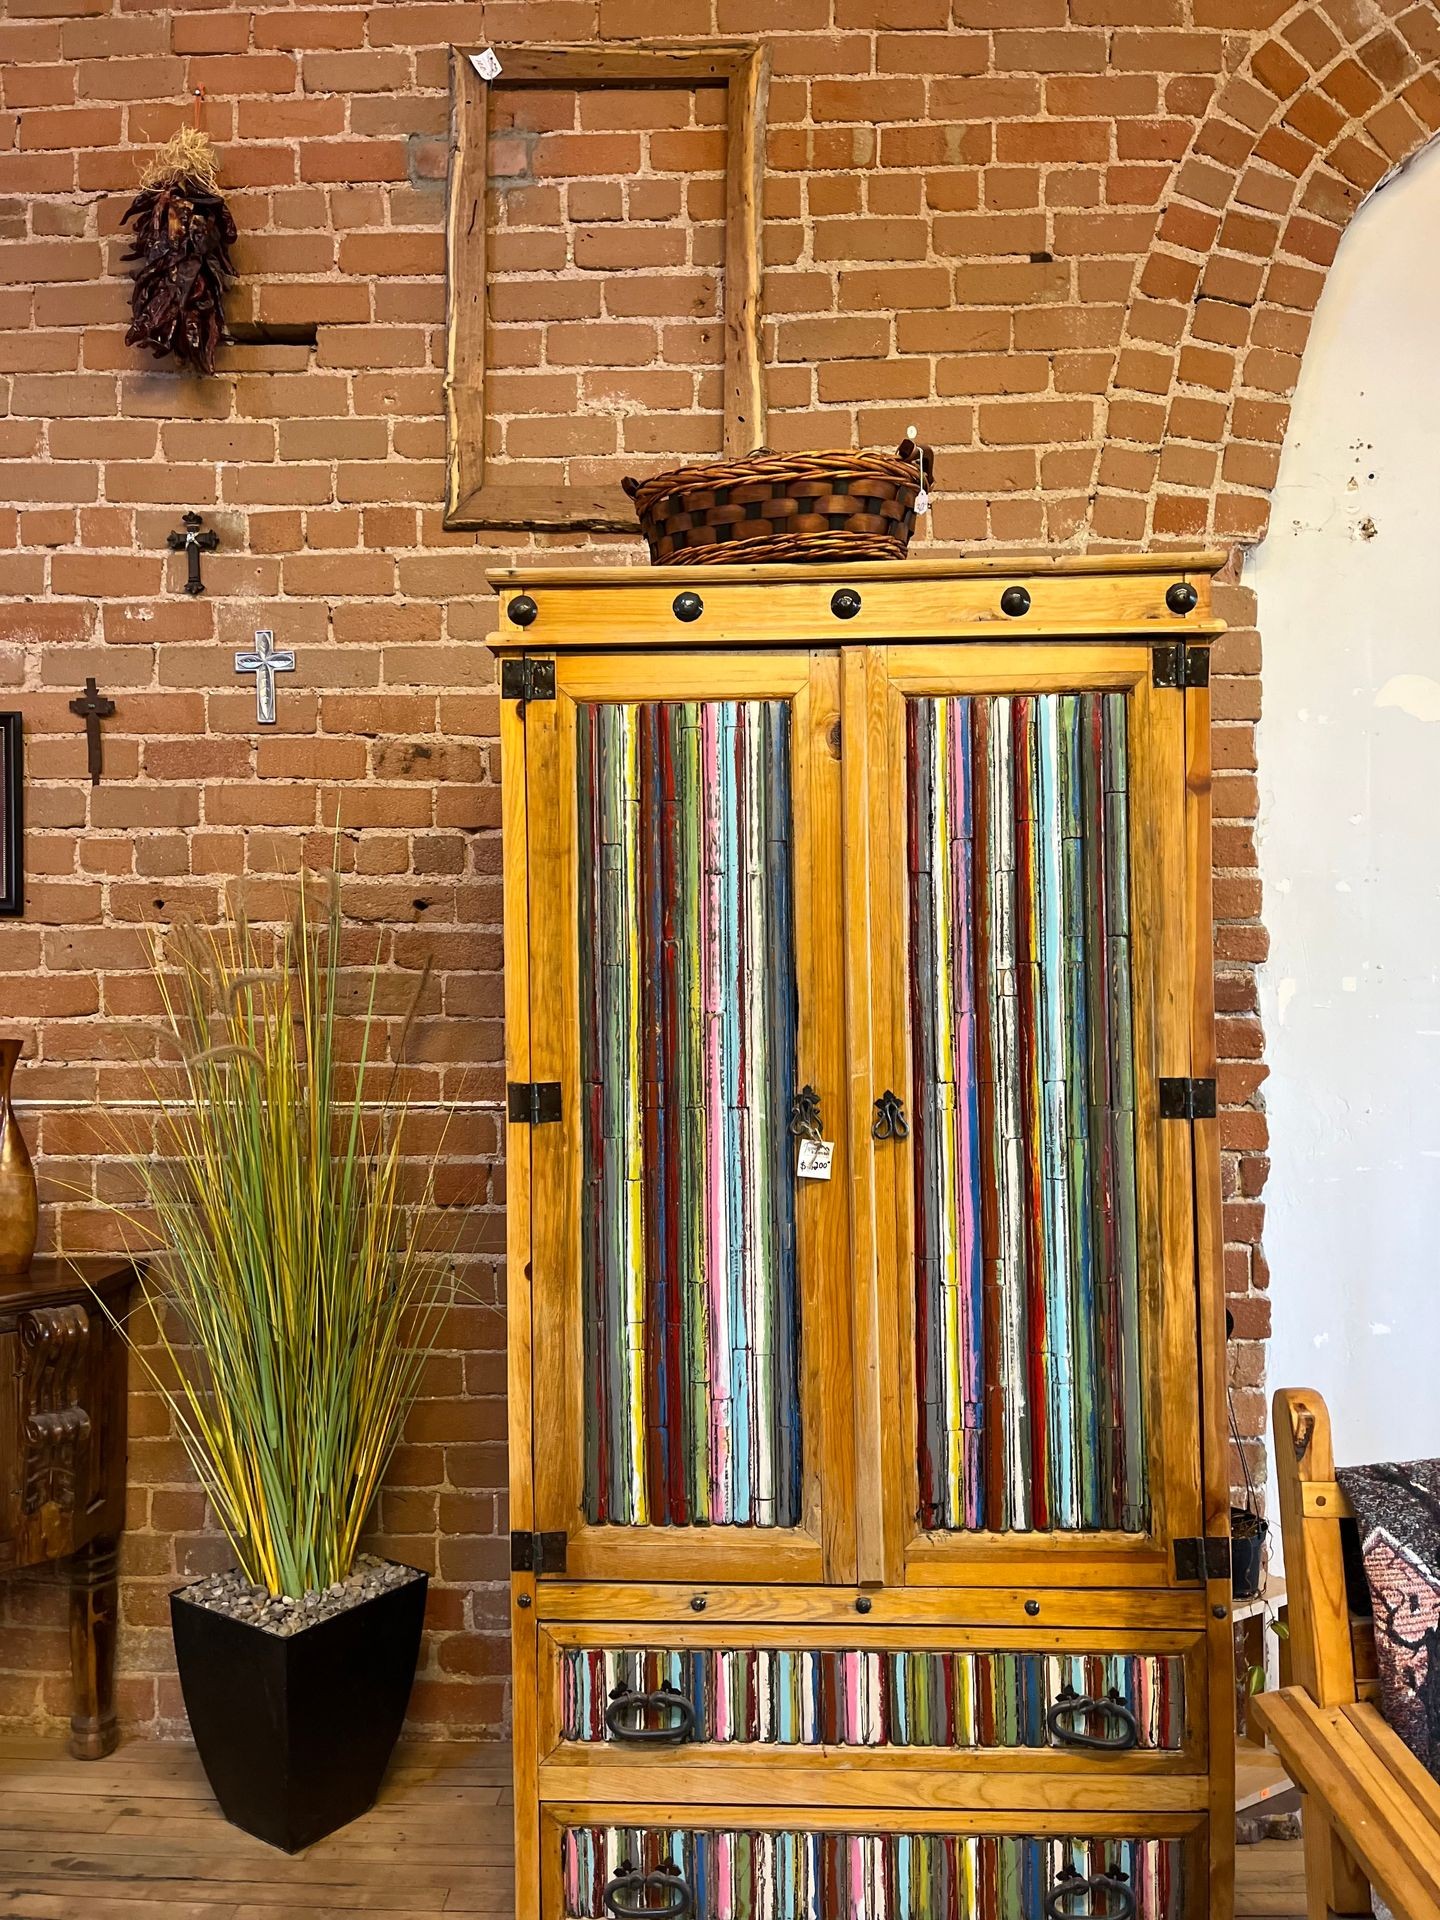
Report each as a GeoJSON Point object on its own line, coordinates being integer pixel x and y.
{"type": "Point", "coordinates": [915, 1869]}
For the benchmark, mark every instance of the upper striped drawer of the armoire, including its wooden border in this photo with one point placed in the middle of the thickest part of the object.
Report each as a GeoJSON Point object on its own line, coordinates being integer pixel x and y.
{"type": "Point", "coordinates": [771, 1702]}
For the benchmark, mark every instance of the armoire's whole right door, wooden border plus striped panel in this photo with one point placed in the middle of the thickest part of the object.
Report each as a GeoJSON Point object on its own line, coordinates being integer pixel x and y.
{"type": "Point", "coordinates": [1045, 1276]}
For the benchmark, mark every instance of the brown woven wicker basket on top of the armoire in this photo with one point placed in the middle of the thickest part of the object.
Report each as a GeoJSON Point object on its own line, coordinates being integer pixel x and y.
{"type": "Point", "coordinates": [784, 508]}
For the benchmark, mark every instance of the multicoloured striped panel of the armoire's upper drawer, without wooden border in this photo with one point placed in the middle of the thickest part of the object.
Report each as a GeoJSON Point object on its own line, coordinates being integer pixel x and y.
{"type": "Point", "coordinates": [878, 1698]}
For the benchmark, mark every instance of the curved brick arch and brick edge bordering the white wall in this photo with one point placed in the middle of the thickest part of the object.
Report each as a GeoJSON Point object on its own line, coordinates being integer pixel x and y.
{"type": "Point", "coordinates": [1320, 112]}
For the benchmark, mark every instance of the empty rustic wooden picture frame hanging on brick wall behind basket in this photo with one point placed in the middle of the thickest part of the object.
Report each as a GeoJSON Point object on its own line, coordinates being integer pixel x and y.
{"type": "Point", "coordinates": [738, 66]}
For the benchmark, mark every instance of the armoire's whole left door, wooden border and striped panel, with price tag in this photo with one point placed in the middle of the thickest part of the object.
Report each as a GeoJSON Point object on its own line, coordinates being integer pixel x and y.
{"type": "Point", "coordinates": [688, 1287]}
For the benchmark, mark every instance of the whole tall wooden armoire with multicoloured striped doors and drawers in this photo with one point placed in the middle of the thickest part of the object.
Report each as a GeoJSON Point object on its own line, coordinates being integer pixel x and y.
{"type": "Point", "coordinates": [869, 1468]}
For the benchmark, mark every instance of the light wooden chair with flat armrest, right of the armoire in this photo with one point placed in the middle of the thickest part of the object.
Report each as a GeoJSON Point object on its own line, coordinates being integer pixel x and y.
{"type": "Point", "coordinates": [1372, 1812]}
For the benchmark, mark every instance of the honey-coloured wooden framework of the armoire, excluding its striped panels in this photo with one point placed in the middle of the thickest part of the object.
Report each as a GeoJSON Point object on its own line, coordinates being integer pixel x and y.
{"type": "Point", "coordinates": [928, 627]}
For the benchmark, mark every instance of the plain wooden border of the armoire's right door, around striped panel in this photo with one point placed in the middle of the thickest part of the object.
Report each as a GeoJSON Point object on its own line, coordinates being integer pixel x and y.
{"type": "Point", "coordinates": [1163, 999]}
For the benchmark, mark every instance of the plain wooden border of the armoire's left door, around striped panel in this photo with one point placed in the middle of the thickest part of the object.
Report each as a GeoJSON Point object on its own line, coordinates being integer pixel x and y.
{"type": "Point", "coordinates": [823, 1547]}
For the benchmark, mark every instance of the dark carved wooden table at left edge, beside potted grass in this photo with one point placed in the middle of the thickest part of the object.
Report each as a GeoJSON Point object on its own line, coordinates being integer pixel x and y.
{"type": "Point", "coordinates": [62, 1458]}
